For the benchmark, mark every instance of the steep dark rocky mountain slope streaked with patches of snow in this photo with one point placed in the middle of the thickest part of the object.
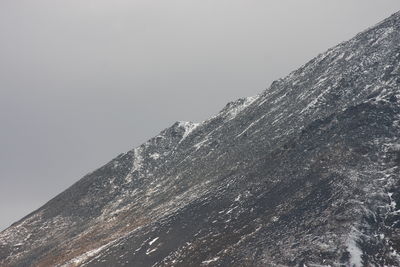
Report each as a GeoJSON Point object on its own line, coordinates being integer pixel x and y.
{"type": "Point", "coordinates": [304, 174]}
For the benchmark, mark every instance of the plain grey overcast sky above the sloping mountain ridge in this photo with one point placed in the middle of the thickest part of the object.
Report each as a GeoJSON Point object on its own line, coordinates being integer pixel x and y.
{"type": "Point", "coordinates": [84, 80]}
